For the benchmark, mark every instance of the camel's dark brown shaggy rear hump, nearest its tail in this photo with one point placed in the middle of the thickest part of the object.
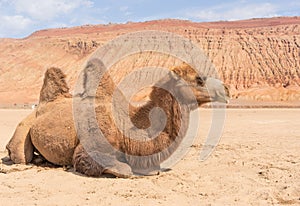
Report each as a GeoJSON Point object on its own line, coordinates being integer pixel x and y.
{"type": "Point", "coordinates": [54, 85]}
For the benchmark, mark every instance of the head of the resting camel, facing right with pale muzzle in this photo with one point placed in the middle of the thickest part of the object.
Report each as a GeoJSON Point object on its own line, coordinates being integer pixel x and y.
{"type": "Point", "coordinates": [204, 89]}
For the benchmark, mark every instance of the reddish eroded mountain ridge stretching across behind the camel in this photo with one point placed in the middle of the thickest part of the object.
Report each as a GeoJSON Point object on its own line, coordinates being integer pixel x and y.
{"type": "Point", "coordinates": [259, 59]}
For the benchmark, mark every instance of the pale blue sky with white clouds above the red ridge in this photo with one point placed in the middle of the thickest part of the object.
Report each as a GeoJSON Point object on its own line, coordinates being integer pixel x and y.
{"type": "Point", "coordinates": [19, 18]}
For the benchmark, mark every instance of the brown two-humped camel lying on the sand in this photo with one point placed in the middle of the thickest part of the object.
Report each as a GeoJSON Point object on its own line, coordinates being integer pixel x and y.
{"type": "Point", "coordinates": [50, 129]}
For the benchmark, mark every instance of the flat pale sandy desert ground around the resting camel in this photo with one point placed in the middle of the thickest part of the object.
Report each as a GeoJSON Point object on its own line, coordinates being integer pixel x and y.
{"type": "Point", "coordinates": [257, 162]}
